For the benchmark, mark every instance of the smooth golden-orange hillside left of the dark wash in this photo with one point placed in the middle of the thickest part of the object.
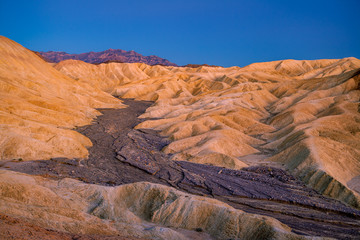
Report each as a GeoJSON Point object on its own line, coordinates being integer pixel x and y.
{"type": "Point", "coordinates": [39, 105]}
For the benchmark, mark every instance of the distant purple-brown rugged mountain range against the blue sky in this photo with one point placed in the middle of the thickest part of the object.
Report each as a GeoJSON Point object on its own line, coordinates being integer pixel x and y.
{"type": "Point", "coordinates": [110, 55]}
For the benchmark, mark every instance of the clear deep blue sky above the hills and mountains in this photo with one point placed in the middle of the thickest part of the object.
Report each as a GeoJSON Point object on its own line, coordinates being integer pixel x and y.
{"type": "Point", "coordinates": [225, 33]}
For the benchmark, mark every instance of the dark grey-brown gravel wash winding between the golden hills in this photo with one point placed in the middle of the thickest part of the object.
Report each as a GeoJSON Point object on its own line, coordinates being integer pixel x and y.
{"type": "Point", "coordinates": [121, 154]}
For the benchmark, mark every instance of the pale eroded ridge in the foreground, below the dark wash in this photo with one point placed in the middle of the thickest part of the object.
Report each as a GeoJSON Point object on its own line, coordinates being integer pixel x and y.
{"type": "Point", "coordinates": [144, 210]}
